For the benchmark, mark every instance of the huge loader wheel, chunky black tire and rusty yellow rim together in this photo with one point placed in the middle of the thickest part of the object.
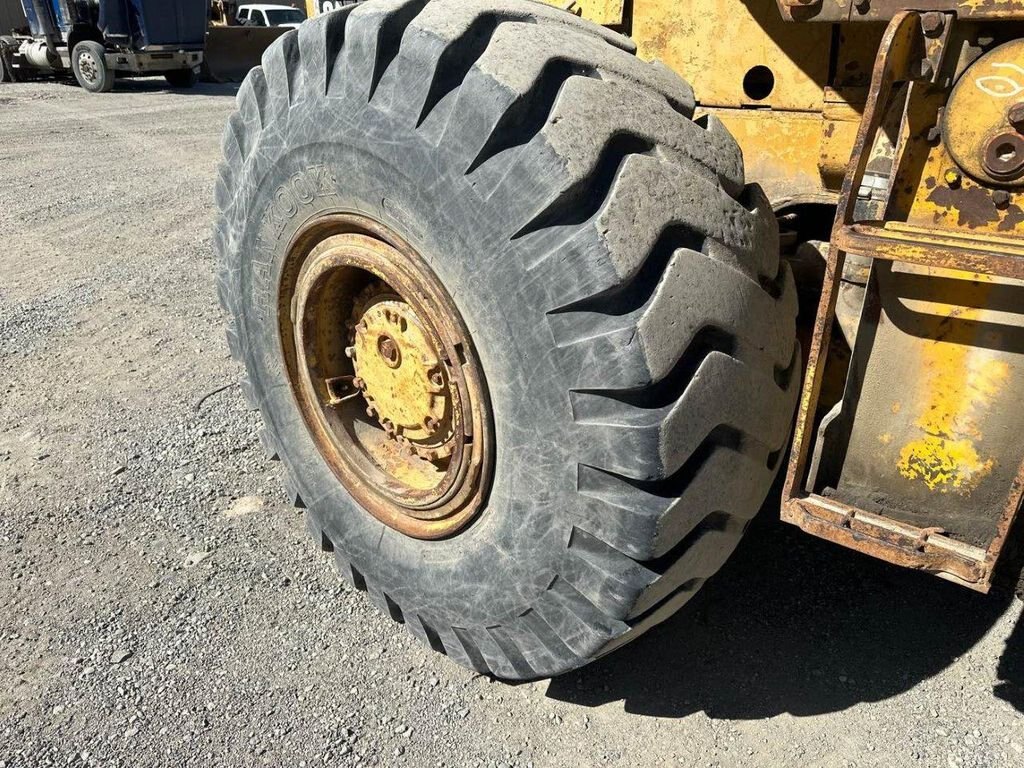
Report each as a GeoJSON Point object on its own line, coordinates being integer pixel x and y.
{"type": "Point", "coordinates": [518, 328]}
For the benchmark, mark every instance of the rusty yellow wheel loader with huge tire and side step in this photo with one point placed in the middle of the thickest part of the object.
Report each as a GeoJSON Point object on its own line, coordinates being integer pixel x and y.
{"type": "Point", "coordinates": [538, 301]}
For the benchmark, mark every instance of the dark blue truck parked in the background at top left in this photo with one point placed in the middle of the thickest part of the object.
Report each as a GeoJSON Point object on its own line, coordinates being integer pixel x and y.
{"type": "Point", "coordinates": [97, 39]}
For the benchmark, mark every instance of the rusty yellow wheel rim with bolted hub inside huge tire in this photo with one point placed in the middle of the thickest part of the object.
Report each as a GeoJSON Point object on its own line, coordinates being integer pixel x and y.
{"type": "Point", "coordinates": [387, 376]}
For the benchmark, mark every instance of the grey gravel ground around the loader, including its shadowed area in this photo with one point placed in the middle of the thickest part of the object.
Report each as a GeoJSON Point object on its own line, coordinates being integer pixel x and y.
{"type": "Point", "coordinates": [160, 604]}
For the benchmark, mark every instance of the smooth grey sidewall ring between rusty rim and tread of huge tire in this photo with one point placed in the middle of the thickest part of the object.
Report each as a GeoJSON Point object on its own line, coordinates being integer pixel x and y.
{"type": "Point", "coordinates": [510, 554]}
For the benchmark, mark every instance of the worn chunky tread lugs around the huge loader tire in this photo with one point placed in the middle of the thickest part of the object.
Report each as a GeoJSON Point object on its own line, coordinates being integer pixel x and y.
{"type": "Point", "coordinates": [655, 529]}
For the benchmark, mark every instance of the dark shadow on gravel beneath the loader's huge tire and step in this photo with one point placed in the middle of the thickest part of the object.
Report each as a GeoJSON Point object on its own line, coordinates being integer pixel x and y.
{"type": "Point", "coordinates": [797, 625]}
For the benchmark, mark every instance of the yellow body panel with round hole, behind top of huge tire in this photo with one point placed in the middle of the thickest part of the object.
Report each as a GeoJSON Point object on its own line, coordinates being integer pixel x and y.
{"type": "Point", "coordinates": [798, 151]}
